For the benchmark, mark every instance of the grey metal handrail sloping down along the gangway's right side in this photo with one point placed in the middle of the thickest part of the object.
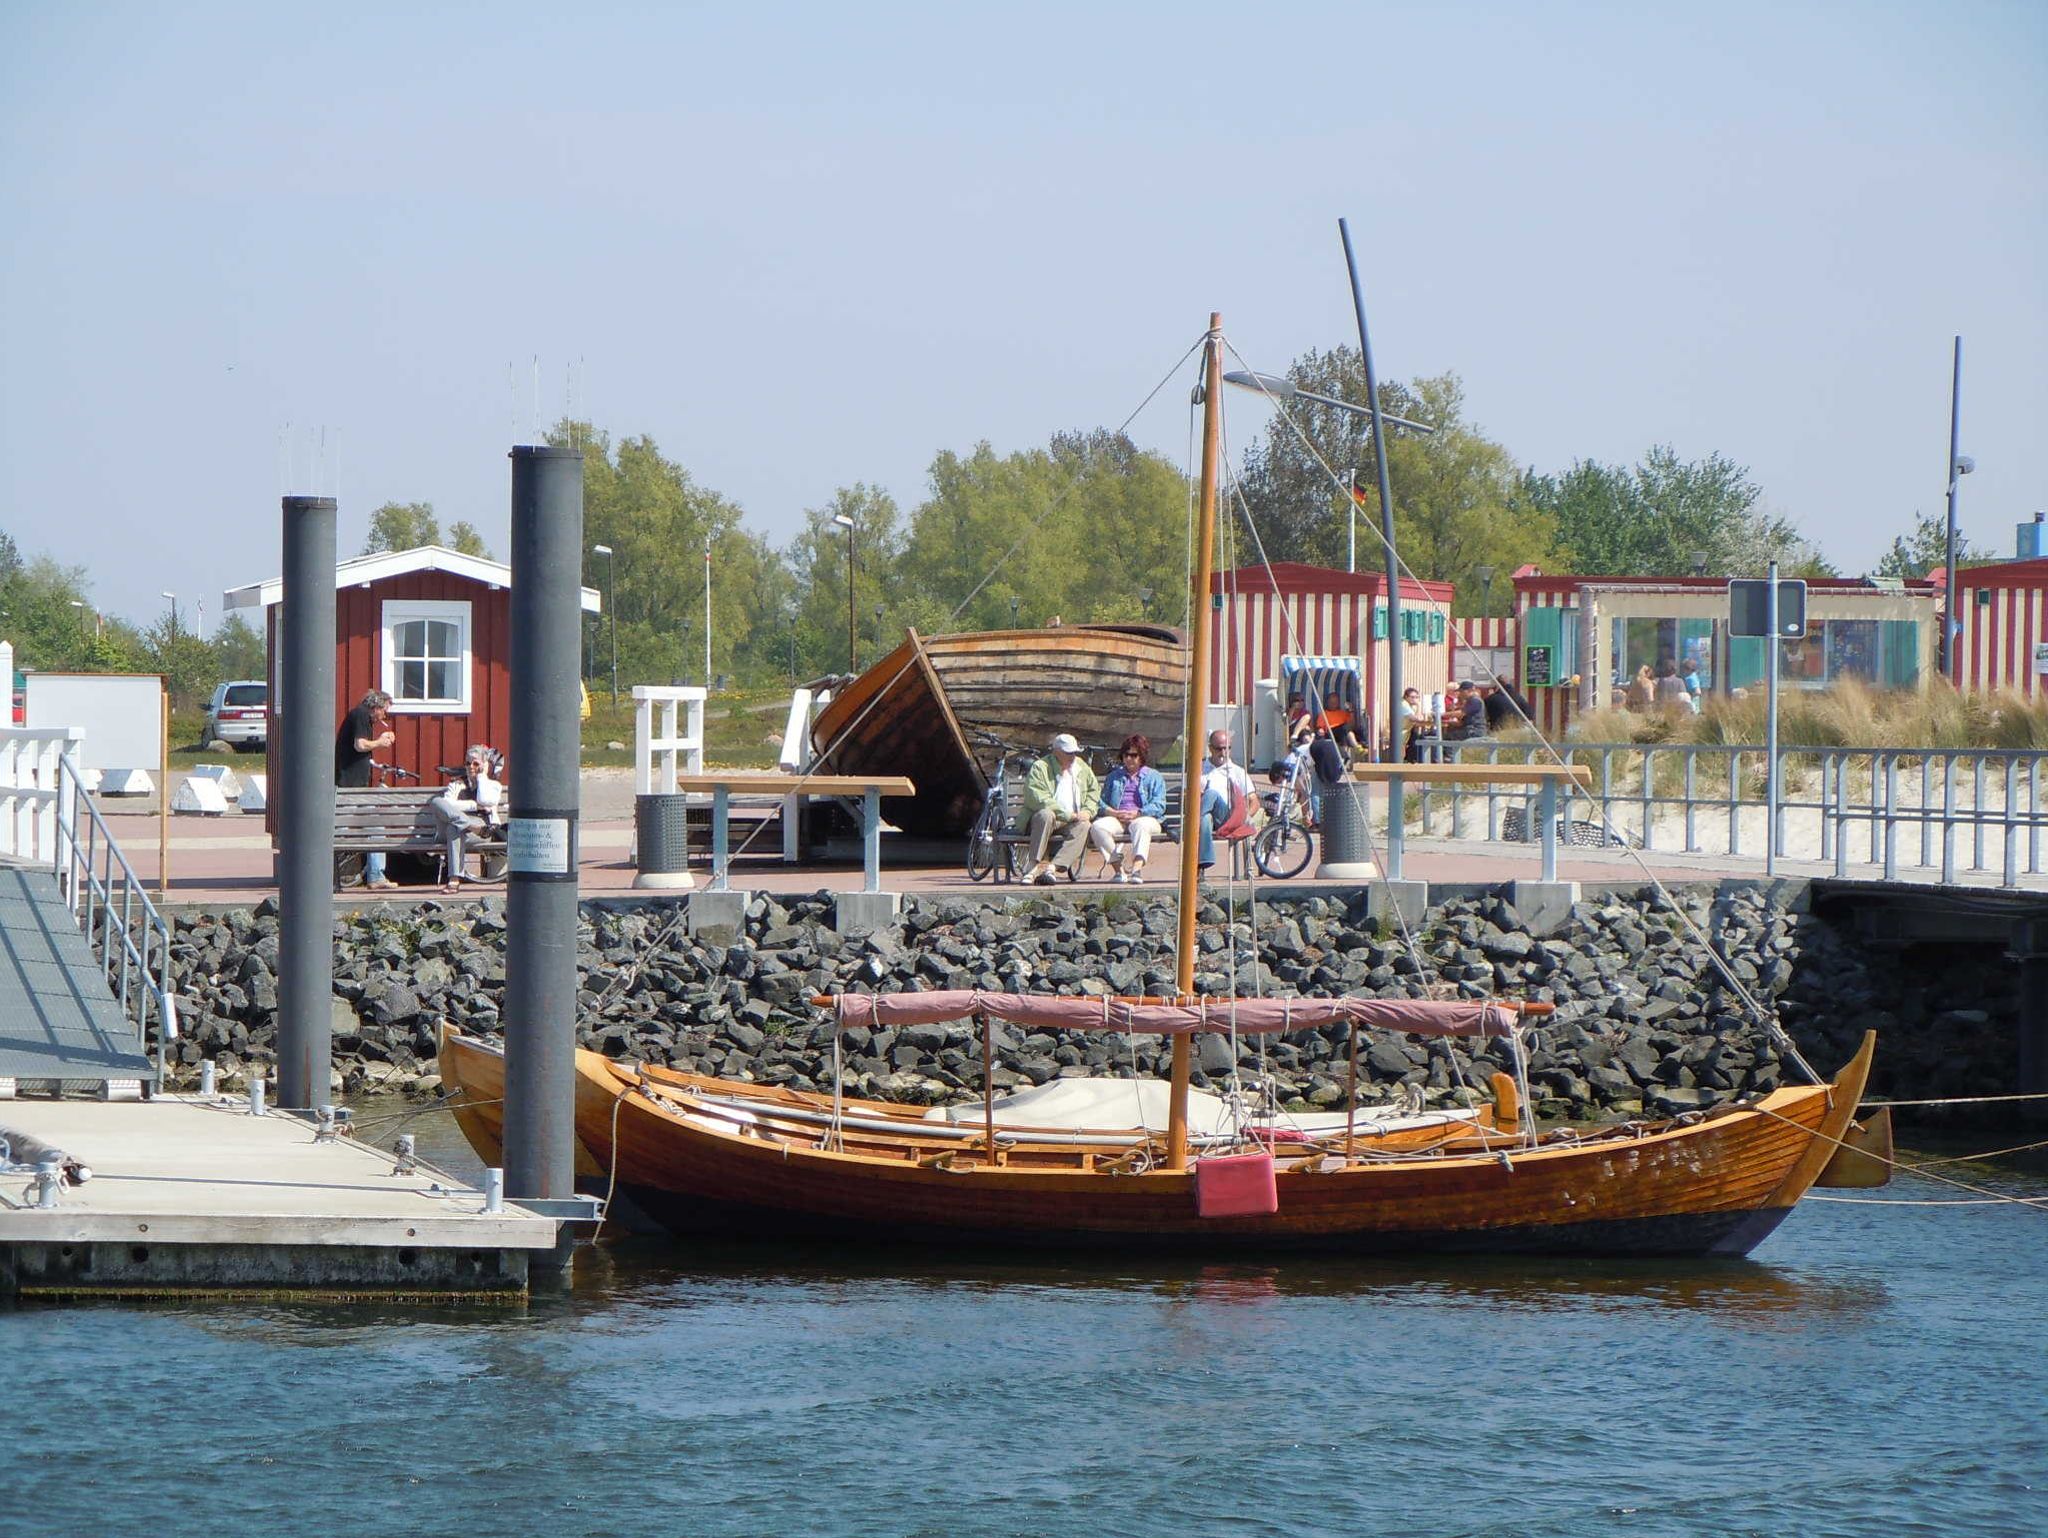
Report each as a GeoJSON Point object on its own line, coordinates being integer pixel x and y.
{"type": "Point", "coordinates": [93, 880]}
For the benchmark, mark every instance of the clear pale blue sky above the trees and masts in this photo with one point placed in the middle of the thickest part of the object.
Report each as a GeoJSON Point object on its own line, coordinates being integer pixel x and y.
{"type": "Point", "coordinates": [282, 249]}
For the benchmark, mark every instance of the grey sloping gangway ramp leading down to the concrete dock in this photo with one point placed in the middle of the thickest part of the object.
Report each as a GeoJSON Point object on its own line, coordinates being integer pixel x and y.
{"type": "Point", "coordinates": [58, 1017]}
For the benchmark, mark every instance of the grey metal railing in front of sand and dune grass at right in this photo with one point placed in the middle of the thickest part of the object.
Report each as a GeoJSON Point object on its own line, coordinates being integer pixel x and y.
{"type": "Point", "coordinates": [1844, 806]}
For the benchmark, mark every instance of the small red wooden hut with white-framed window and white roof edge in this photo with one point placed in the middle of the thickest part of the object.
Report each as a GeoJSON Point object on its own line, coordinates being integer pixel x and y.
{"type": "Point", "coordinates": [433, 630]}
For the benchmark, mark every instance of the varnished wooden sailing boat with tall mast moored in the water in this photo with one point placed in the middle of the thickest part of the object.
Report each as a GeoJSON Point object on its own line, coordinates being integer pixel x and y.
{"type": "Point", "coordinates": [703, 1156]}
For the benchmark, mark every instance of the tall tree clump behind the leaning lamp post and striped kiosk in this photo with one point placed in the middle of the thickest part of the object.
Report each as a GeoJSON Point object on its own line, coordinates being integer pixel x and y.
{"type": "Point", "coordinates": [1457, 495]}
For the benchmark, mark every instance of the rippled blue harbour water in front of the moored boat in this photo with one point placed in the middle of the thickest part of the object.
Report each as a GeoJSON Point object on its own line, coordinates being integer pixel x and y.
{"type": "Point", "coordinates": [1873, 1371]}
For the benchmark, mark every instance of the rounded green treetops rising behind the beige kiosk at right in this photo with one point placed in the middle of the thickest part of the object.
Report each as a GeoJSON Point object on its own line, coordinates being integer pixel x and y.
{"type": "Point", "coordinates": [1666, 517]}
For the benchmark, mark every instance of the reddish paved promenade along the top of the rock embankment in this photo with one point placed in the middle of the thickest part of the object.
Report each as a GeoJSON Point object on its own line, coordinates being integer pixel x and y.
{"type": "Point", "coordinates": [228, 861]}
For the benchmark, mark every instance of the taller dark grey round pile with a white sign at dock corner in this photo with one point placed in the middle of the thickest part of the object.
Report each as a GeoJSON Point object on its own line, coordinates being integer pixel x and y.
{"type": "Point", "coordinates": [542, 847]}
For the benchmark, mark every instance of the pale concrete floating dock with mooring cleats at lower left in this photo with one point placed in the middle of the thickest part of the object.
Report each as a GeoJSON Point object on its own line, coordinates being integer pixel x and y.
{"type": "Point", "coordinates": [198, 1197]}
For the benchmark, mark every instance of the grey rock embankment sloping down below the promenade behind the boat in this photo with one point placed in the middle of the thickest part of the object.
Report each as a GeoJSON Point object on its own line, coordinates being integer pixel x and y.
{"type": "Point", "coordinates": [1644, 1025]}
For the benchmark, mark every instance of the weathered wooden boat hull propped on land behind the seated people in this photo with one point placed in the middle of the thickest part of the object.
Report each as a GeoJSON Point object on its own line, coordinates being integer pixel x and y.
{"type": "Point", "coordinates": [927, 708]}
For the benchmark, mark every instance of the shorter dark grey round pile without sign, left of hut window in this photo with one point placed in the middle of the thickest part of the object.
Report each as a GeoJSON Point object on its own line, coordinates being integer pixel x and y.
{"type": "Point", "coordinates": [306, 806]}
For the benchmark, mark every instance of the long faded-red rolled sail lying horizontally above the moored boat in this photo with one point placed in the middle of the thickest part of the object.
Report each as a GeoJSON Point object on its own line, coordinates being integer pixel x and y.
{"type": "Point", "coordinates": [1410, 1017]}
